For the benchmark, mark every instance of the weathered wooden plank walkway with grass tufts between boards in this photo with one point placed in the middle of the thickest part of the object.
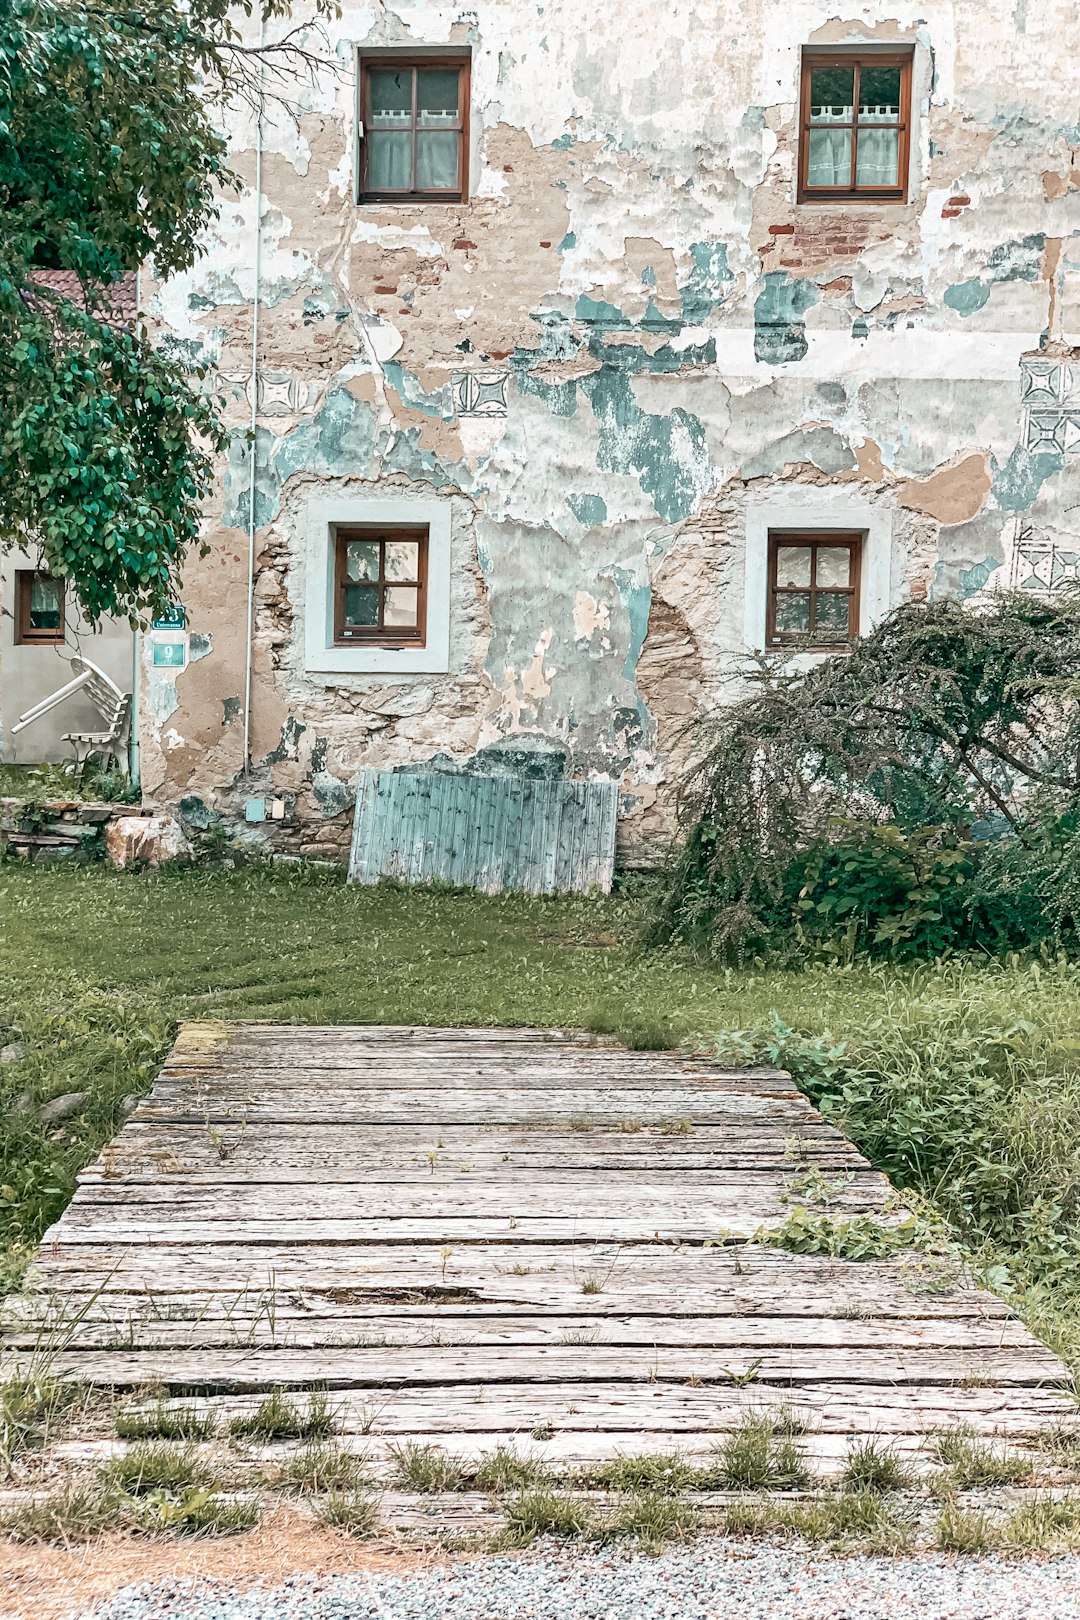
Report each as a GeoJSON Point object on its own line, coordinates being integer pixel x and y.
{"type": "Point", "coordinates": [480, 1235]}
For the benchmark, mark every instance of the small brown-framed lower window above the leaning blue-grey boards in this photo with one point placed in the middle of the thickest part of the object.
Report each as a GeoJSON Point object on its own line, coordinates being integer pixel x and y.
{"type": "Point", "coordinates": [381, 587]}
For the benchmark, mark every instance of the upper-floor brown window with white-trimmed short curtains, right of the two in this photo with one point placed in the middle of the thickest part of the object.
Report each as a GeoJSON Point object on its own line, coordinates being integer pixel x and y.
{"type": "Point", "coordinates": [856, 127]}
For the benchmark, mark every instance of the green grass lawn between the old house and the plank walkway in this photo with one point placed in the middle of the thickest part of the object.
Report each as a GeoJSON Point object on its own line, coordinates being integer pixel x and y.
{"type": "Point", "coordinates": [963, 1081]}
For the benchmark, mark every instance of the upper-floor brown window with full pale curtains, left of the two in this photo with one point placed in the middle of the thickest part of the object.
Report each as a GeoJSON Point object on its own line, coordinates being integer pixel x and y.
{"type": "Point", "coordinates": [414, 129]}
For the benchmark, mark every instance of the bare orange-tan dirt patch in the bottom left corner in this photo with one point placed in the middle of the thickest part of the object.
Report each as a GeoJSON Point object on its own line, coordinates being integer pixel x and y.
{"type": "Point", "coordinates": [59, 1584]}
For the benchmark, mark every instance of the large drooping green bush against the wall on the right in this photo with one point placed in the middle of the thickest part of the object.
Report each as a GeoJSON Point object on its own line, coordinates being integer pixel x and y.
{"type": "Point", "coordinates": [853, 803]}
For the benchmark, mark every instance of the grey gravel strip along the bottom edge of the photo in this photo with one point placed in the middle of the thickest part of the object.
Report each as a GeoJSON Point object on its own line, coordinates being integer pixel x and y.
{"type": "Point", "coordinates": [707, 1582]}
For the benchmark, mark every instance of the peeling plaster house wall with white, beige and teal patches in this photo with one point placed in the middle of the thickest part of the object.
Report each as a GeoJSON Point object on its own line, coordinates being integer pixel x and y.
{"type": "Point", "coordinates": [623, 347]}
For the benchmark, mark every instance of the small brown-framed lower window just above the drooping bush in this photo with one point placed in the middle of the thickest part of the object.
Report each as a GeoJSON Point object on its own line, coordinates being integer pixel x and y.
{"type": "Point", "coordinates": [814, 590]}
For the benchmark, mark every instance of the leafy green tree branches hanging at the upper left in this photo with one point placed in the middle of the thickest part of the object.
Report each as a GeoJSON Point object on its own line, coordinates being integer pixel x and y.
{"type": "Point", "coordinates": [111, 156]}
